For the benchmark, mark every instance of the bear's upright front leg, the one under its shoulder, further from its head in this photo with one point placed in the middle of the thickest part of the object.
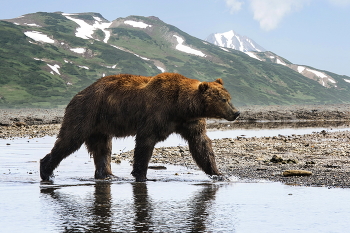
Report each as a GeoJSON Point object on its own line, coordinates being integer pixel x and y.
{"type": "Point", "coordinates": [142, 155]}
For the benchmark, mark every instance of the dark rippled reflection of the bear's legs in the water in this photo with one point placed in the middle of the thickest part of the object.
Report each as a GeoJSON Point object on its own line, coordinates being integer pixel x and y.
{"type": "Point", "coordinates": [98, 208]}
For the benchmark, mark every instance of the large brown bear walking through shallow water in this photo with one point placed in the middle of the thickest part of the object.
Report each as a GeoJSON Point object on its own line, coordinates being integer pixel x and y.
{"type": "Point", "coordinates": [149, 107]}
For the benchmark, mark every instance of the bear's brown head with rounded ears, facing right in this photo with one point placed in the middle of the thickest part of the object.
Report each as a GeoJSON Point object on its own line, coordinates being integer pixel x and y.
{"type": "Point", "coordinates": [217, 101]}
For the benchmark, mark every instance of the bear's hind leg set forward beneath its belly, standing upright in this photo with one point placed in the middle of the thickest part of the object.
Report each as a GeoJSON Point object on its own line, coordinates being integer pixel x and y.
{"type": "Point", "coordinates": [100, 147]}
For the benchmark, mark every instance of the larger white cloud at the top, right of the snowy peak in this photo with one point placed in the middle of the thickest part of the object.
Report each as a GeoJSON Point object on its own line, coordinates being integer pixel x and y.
{"type": "Point", "coordinates": [270, 13]}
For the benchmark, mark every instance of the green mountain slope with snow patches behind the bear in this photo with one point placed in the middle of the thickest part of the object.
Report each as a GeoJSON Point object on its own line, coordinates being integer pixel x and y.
{"type": "Point", "coordinates": [46, 58]}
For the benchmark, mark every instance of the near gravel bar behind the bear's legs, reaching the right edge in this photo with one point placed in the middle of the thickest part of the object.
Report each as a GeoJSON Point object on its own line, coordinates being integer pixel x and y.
{"type": "Point", "coordinates": [326, 155]}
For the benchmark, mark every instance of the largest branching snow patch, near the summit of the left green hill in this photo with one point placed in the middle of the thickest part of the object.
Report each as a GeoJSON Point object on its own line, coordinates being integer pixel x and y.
{"type": "Point", "coordinates": [86, 30]}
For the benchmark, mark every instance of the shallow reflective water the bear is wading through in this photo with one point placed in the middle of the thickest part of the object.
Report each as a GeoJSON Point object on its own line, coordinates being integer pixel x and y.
{"type": "Point", "coordinates": [180, 200]}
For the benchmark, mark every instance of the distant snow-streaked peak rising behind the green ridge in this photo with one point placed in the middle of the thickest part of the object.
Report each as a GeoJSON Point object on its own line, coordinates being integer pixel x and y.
{"type": "Point", "coordinates": [233, 40]}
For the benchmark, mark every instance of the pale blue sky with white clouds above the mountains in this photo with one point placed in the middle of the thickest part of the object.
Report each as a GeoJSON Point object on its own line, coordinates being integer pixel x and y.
{"type": "Point", "coordinates": [315, 33]}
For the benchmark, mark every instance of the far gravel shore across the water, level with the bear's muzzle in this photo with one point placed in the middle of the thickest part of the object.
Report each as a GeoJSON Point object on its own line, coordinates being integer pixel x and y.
{"type": "Point", "coordinates": [41, 122]}
